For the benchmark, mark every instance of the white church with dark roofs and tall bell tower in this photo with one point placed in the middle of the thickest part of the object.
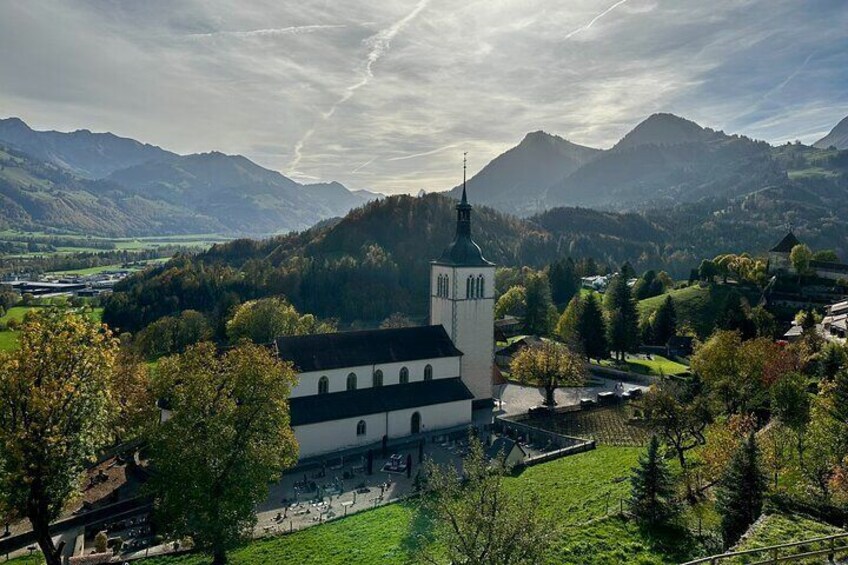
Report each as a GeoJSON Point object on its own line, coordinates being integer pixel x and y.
{"type": "Point", "coordinates": [357, 388]}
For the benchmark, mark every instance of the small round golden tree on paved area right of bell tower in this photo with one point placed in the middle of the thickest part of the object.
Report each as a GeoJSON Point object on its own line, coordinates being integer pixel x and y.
{"type": "Point", "coordinates": [549, 365]}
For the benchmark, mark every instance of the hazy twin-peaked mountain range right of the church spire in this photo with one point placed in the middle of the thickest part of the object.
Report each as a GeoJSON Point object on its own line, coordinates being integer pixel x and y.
{"type": "Point", "coordinates": [664, 161]}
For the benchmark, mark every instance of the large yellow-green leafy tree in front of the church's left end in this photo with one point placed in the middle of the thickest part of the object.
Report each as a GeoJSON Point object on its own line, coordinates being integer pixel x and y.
{"type": "Point", "coordinates": [228, 438]}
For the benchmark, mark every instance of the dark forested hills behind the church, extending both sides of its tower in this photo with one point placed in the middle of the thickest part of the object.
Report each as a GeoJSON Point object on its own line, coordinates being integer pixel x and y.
{"type": "Point", "coordinates": [375, 261]}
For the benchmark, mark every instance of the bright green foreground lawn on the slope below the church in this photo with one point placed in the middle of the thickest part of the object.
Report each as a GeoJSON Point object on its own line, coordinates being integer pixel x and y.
{"type": "Point", "coordinates": [576, 491]}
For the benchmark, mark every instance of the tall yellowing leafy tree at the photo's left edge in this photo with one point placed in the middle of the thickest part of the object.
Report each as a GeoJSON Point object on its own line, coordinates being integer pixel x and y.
{"type": "Point", "coordinates": [54, 416]}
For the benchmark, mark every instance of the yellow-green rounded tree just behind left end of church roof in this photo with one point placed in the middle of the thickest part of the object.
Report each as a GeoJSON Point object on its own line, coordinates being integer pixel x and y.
{"type": "Point", "coordinates": [262, 321]}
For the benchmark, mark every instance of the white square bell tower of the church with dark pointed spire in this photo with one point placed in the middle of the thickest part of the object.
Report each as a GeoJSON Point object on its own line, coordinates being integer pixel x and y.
{"type": "Point", "coordinates": [462, 299]}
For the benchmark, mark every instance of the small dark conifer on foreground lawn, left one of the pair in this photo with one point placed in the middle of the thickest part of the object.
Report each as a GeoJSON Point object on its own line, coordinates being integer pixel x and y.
{"type": "Point", "coordinates": [652, 487]}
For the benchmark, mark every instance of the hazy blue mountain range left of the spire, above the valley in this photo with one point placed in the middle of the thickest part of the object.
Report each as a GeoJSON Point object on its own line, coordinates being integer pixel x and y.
{"type": "Point", "coordinates": [102, 184]}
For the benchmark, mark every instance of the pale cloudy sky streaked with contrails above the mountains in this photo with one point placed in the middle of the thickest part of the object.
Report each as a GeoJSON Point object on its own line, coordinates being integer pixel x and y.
{"type": "Point", "coordinates": [386, 94]}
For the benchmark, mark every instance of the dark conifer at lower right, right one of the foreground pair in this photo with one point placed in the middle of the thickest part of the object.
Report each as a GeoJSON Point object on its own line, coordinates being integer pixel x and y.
{"type": "Point", "coordinates": [739, 498]}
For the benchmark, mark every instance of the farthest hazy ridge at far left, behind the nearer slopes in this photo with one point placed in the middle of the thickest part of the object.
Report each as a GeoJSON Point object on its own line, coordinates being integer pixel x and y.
{"type": "Point", "coordinates": [87, 154]}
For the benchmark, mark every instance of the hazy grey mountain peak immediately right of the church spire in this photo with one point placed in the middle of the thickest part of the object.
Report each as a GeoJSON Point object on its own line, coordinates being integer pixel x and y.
{"type": "Point", "coordinates": [515, 181]}
